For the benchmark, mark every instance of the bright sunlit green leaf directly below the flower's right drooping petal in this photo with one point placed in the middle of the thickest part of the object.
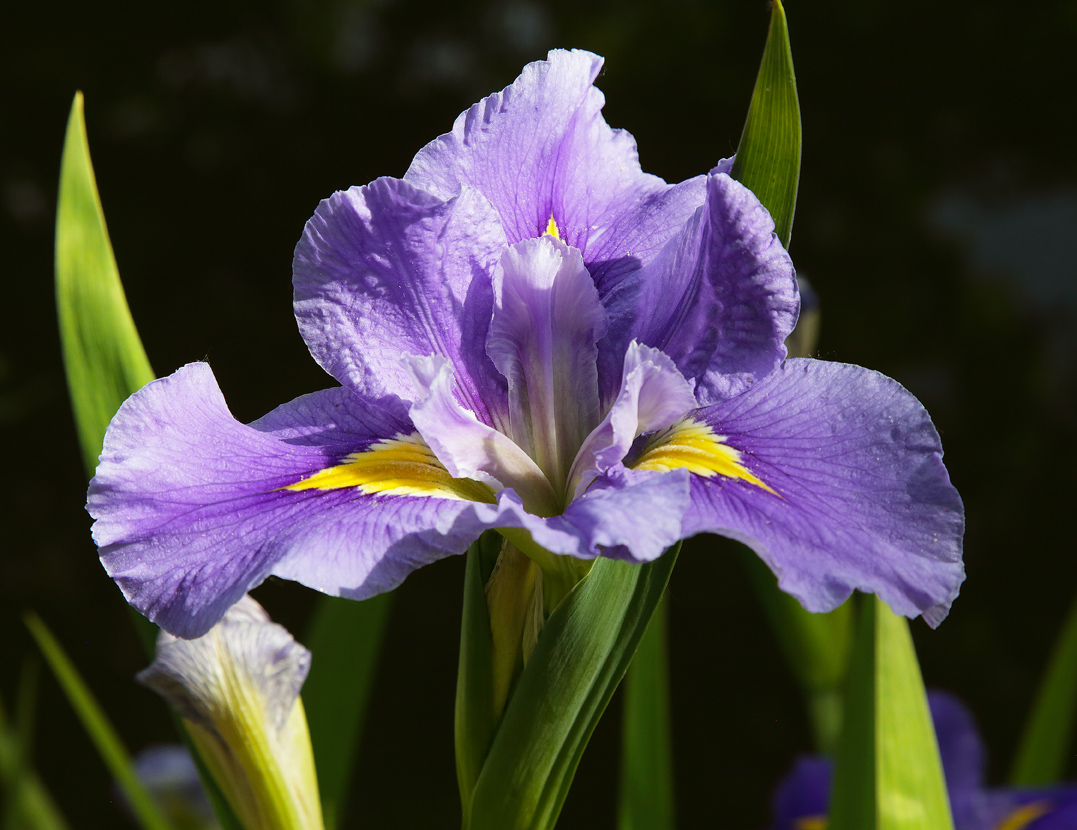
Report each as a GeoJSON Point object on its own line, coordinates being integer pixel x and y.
{"type": "Point", "coordinates": [889, 776]}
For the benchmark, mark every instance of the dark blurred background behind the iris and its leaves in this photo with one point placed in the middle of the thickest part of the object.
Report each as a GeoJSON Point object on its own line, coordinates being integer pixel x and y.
{"type": "Point", "coordinates": [938, 220]}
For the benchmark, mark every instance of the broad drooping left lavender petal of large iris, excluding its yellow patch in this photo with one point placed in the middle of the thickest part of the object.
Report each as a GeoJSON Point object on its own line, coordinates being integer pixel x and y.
{"type": "Point", "coordinates": [191, 513]}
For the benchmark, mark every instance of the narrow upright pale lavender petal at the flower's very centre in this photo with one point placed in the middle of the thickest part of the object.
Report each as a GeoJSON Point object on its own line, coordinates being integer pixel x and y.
{"type": "Point", "coordinates": [547, 322]}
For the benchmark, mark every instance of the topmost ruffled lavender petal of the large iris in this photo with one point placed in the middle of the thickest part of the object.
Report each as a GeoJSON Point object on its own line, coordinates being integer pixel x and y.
{"type": "Point", "coordinates": [541, 150]}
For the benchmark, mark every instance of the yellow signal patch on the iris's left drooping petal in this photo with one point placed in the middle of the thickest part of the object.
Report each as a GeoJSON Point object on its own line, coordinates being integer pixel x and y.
{"type": "Point", "coordinates": [403, 466]}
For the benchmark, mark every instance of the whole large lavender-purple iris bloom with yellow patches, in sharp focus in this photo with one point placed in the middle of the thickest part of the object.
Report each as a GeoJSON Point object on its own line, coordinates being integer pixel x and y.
{"type": "Point", "coordinates": [533, 335]}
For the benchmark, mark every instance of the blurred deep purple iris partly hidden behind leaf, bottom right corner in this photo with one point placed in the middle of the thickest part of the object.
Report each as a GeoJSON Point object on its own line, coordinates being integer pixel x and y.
{"type": "Point", "coordinates": [803, 799]}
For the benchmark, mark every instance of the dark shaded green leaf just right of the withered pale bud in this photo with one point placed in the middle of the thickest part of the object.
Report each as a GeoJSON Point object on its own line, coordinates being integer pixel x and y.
{"type": "Point", "coordinates": [346, 640]}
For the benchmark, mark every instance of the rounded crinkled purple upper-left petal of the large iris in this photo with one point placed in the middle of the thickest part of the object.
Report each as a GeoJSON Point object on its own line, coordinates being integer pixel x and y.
{"type": "Point", "coordinates": [388, 270]}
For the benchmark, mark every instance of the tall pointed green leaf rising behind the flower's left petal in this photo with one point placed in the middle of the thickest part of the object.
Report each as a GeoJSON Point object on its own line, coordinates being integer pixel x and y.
{"type": "Point", "coordinates": [103, 354]}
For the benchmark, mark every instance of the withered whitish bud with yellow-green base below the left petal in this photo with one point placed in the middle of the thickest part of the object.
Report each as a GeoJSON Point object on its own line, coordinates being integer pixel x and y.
{"type": "Point", "coordinates": [239, 691]}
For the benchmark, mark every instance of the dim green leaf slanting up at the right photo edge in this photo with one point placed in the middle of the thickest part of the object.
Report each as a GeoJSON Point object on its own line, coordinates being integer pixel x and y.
{"type": "Point", "coordinates": [1045, 748]}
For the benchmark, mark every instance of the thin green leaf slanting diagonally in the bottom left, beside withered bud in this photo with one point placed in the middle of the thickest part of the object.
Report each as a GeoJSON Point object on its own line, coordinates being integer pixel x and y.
{"type": "Point", "coordinates": [97, 726]}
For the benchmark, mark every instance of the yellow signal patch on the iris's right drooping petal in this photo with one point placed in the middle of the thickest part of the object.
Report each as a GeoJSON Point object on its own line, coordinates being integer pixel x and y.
{"type": "Point", "coordinates": [697, 448]}
